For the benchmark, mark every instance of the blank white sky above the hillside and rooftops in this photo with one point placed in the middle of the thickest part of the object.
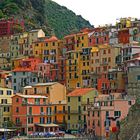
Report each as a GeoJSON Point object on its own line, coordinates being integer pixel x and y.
{"type": "Point", "coordinates": [101, 12]}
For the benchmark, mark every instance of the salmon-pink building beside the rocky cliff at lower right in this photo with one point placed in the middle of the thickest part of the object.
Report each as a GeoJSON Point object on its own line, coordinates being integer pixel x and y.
{"type": "Point", "coordinates": [105, 114]}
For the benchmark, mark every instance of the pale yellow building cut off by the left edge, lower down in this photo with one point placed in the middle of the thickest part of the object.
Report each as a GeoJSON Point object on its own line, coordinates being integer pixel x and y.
{"type": "Point", "coordinates": [5, 104]}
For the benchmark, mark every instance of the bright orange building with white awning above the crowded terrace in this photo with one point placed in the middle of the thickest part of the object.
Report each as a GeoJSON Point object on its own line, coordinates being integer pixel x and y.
{"type": "Point", "coordinates": [33, 113]}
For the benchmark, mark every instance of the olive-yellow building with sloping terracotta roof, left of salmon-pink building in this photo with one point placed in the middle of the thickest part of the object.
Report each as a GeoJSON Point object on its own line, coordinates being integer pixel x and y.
{"type": "Point", "coordinates": [77, 102]}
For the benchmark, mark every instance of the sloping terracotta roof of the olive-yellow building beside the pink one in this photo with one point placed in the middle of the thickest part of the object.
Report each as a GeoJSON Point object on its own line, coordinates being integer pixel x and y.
{"type": "Point", "coordinates": [80, 91]}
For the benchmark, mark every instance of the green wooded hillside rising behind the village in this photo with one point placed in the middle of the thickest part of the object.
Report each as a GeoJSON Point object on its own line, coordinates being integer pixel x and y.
{"type": "Point", "coordinates": [46, 14]}
